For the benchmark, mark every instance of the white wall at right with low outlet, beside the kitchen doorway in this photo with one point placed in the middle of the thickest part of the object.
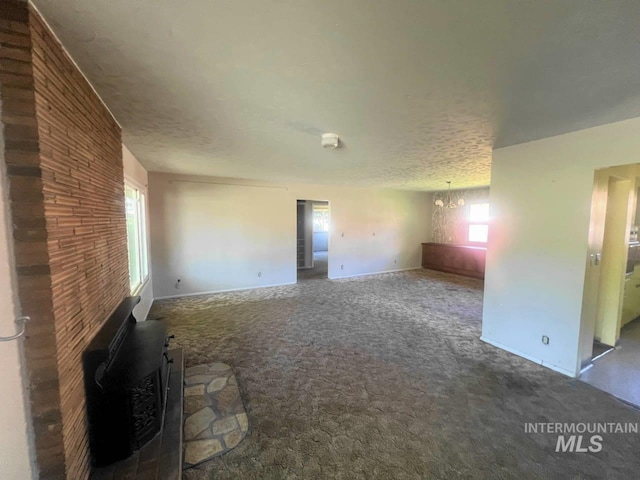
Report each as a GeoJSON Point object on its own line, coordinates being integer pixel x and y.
{"type": "Point", "coordinates": [540, 203]}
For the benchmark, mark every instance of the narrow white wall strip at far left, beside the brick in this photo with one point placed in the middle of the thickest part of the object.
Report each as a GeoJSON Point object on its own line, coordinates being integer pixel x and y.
{"type": "Point", "coordinates": [16, 462]}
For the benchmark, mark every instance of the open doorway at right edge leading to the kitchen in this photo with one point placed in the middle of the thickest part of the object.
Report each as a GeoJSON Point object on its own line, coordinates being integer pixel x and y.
{"type": "Point", "coordinates": [611, 305]}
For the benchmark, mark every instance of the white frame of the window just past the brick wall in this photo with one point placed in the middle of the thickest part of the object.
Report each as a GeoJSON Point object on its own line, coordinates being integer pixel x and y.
{"type": "Point", "coordinates": [141, 212]}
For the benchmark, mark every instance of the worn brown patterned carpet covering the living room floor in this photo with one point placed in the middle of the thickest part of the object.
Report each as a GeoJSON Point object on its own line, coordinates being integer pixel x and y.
{"type": "Point", "coordinates": [385, 377]}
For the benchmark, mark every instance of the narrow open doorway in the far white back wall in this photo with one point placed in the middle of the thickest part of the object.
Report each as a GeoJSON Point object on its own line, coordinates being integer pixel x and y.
{"type": "Point", "coordinates": [312, 239]}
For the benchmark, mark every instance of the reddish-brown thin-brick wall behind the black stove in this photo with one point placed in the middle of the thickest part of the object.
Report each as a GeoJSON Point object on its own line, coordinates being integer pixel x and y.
{"type": "Point", "coordinates": [63, 156]}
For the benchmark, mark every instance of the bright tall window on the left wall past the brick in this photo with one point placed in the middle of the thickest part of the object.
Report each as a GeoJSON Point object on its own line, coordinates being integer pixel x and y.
{"type": "Point", "coordinates": [136, 236]}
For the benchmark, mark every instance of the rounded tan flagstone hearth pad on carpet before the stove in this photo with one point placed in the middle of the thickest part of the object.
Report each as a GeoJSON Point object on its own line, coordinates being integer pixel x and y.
{"type": "Point", "coordinates": [214, 417]}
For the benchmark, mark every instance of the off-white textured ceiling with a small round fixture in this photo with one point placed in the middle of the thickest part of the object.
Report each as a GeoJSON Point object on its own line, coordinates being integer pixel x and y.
{"type": "Point", "coordinates": [419, 91]}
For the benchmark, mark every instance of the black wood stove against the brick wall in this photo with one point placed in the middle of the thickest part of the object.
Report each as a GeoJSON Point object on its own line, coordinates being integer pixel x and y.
{"type": "Point", "coordinates": [126, 370]}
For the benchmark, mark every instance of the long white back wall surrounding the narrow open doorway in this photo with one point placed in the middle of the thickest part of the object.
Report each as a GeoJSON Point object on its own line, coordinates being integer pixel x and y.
{"type": "Point", "coordinates": [217, 234]}
